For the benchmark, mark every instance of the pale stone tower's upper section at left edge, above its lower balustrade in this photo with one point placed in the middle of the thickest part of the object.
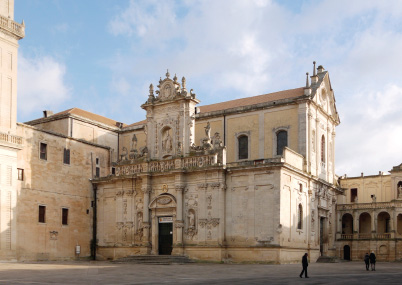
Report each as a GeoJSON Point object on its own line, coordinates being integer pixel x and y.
{"type": "Point", "coordinates": [10, 33]}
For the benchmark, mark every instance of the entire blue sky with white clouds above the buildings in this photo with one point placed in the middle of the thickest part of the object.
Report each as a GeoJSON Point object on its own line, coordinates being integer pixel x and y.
{"type": "Point", "coordinates": [101, 56]}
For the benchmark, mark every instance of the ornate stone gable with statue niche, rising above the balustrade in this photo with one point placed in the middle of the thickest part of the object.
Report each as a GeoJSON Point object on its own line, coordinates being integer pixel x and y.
{"type": "Point", "coordinates": [170, 119]}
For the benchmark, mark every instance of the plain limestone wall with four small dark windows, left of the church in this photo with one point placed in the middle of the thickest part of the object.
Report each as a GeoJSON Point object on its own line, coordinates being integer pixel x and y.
{"type": "Point", "coordinates": [55, 185]}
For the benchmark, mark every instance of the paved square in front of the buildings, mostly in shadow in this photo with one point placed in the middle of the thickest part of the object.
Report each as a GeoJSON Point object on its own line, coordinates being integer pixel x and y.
{"type": "Point", "coordinates": [199, 273]}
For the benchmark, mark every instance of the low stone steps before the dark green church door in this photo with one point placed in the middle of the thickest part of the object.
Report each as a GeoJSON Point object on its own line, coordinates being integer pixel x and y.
{"type": "Point", "coordinates": [155, 259]}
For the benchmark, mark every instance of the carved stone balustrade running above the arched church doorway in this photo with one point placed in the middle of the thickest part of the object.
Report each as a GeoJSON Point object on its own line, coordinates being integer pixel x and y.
{"type": "Point", "coordinates": [167, 165]}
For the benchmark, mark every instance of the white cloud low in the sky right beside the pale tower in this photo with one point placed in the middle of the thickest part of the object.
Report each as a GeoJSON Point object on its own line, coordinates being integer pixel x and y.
{"type": "Point", "coordinates": [41, 84]}
